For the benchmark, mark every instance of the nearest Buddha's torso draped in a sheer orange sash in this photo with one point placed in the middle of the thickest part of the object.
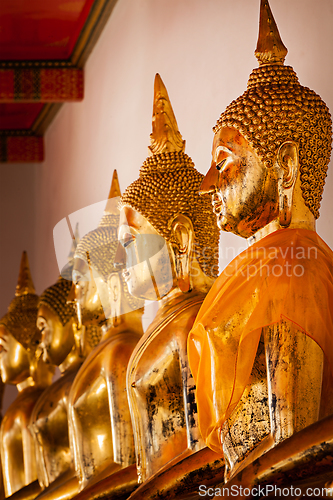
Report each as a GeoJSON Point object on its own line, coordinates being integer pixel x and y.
{"type": "Point", "coordinates": [259, 324]}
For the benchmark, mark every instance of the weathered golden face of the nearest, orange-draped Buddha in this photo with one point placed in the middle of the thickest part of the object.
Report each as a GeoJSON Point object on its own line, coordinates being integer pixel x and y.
{"type": "Point", "coordinates": [244, 191]}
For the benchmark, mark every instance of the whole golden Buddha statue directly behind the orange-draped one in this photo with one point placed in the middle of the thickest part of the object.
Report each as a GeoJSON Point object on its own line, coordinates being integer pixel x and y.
{"type": "Point", "coordinates": [170, 239]}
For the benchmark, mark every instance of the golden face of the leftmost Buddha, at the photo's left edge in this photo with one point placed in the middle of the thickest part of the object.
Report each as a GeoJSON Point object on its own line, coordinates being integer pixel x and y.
{"type": "Point", "coordinates": [14, 360]}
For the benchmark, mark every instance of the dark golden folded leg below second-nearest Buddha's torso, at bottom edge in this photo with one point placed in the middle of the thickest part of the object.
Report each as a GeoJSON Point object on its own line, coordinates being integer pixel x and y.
{"type": "Point", "coordinates": [183, 475]}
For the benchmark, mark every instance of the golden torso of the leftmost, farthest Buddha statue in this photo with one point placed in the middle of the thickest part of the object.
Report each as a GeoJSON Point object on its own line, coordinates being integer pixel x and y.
{"type": "Point", "coordinates": [17, 446]}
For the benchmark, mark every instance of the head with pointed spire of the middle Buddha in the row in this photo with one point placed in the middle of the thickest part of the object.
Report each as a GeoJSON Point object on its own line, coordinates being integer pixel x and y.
{"type": "Point", "coordinates": [98, 286]}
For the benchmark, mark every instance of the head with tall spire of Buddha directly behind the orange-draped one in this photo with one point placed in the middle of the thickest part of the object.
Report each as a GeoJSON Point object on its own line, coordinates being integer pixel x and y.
{"type": "Point", "coordinates": [167, 230]}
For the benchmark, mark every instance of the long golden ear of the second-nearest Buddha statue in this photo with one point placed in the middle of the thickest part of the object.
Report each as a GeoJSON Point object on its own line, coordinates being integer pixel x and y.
{"type": "Point", "coordinates": [182, 240]}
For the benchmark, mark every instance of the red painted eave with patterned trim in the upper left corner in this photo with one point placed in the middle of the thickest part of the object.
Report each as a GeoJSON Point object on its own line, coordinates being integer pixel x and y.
{"type": "Point", "coordinates": [43, 47]}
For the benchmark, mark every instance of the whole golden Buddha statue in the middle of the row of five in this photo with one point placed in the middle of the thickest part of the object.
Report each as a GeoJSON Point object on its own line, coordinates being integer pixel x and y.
{"type": "Point", "coordinates": [99, 420]}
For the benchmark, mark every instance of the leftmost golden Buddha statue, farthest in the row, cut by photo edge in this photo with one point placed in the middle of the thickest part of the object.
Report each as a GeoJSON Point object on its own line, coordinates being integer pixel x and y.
{"type": "Point", "coordinates": [18, 339]}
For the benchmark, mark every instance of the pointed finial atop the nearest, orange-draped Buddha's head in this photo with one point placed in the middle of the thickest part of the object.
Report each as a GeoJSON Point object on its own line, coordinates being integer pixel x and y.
{"type": "Point", "coordinates": [270, 48]}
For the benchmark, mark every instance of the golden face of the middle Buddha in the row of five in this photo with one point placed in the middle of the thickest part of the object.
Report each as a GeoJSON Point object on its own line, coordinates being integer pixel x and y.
{"type": "Point", "coordinates": [91, 295]}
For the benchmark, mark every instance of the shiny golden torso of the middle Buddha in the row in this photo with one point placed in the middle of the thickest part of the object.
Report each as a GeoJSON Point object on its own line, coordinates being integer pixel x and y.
{"type": "Point", "coordinates": [100, 422]}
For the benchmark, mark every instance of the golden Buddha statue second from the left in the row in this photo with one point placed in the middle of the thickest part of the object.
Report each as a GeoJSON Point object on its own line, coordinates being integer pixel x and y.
{"type": "Point", "coordinates": [49, 419]}
